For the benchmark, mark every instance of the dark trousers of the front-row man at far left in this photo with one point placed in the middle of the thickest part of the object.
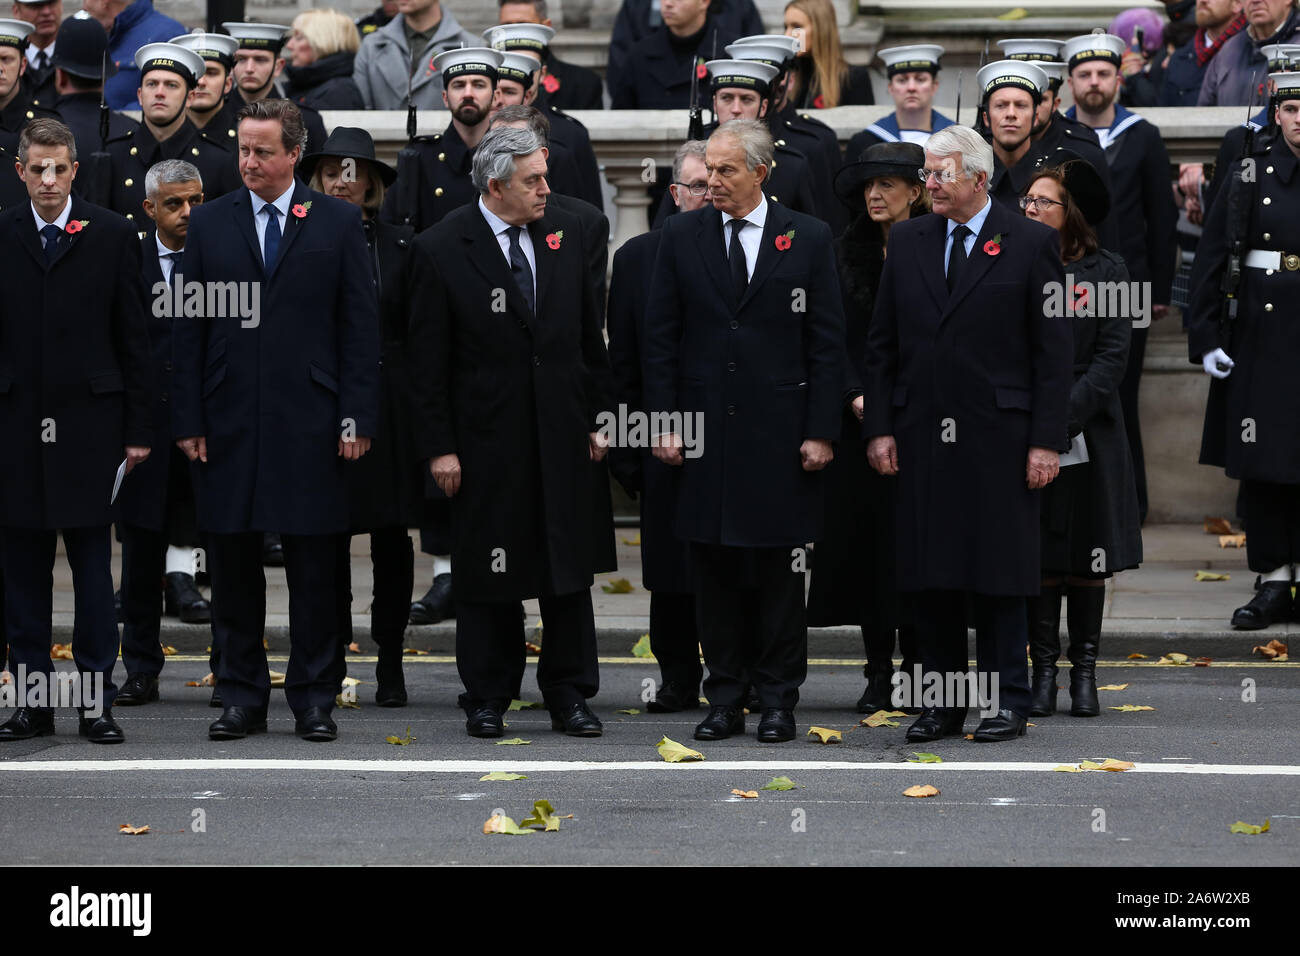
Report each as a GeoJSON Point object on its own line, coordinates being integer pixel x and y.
{"type": "Point", "coordinates": [29, 582]}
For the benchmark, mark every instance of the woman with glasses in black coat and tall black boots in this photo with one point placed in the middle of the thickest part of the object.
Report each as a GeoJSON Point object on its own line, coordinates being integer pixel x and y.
{"type": "Point", "coordinates": [1090, 512]}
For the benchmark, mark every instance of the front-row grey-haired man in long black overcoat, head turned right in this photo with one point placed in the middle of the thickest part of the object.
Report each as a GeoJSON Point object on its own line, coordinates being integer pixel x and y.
{"type": "Point", "coordinates": [512, 374]}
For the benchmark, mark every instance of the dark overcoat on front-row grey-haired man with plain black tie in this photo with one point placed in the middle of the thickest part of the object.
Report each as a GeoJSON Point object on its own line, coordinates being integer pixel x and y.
{"type": "Point", "coordinates": [765, 374]}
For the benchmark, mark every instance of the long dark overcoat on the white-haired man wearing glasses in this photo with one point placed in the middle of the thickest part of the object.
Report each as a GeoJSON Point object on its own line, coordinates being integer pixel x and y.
{"type": "Point", "coordinates": [967, 384]}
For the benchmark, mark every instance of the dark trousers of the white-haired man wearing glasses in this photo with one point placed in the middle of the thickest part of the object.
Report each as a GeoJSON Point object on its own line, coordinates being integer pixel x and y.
{"type": "Point", "coordinates": [1002, 634]}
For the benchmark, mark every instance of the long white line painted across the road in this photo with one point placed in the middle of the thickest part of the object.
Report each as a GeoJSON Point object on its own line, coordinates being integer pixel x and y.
{"type": "Point", "coordinates": [541, 767]}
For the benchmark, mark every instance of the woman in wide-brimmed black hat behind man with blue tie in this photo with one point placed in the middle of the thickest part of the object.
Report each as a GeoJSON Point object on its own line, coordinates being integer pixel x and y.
{"type": "Point", "coordinates": [385, 491]}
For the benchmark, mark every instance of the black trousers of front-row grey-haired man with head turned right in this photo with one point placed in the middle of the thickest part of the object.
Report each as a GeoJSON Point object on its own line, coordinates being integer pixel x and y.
{"type": "Point", "coordinates": [491, 652]}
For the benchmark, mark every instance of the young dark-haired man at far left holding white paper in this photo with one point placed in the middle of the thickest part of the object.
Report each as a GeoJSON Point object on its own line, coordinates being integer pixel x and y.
{"type": "Point", "coordinates": [76, 395]}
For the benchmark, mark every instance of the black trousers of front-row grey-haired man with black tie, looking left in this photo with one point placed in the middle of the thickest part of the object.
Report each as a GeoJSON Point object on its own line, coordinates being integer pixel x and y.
{"type": "Point", "coordinates": [753, 625]}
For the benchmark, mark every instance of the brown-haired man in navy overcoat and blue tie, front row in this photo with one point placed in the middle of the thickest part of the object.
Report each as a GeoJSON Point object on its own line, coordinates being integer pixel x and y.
{"type": "Point", "coordinates": [275, 403]}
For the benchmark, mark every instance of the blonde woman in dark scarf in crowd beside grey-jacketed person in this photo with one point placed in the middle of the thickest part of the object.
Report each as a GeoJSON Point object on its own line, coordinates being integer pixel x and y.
{"type": "Point", "coordinates": [319, 57]}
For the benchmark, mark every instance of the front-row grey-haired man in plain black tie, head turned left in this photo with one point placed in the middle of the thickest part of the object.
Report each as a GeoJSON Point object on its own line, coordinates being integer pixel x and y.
{"type": "Point", "coordinates": [746, 338]}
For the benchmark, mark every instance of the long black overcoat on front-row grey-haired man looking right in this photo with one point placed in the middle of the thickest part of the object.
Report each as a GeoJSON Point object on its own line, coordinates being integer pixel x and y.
{"type": "Point", "coordinates": [514, 396]}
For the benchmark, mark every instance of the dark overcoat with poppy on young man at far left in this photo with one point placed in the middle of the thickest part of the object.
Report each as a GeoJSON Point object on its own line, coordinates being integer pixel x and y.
{"type": "Point", "coordinates": [76, 386]}
